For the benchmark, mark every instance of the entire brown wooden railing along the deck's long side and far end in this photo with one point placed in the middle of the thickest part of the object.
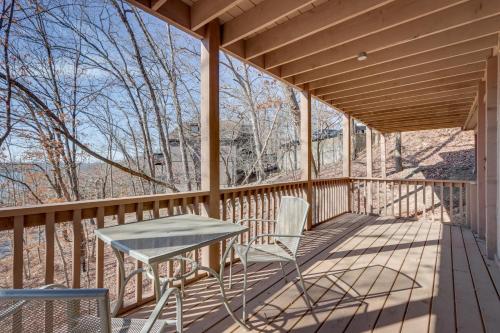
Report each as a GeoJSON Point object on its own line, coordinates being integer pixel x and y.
{"type": "Point", "coordinates": [64, 231]}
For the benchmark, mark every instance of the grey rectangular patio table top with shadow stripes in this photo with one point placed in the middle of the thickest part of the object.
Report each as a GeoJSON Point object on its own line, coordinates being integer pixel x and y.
{"type": "Point", "coordinates": [158, 240]}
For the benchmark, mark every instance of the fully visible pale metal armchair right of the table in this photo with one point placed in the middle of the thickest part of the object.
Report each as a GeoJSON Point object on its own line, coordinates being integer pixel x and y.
{"type": "Point", "coordinates": [292, 217]}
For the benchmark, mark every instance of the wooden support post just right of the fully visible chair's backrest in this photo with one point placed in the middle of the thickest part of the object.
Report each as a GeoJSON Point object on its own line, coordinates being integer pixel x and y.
{"type": "Point", "coordinates": [305, 148]}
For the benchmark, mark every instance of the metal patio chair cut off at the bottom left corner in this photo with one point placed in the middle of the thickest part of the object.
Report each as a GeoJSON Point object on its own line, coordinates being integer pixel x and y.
{"type": "Point", "coordinates": [55, 308]}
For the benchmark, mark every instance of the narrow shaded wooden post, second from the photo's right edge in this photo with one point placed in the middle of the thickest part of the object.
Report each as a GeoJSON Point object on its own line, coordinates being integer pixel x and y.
{"type": "Point", "coordinates": [481, 161]}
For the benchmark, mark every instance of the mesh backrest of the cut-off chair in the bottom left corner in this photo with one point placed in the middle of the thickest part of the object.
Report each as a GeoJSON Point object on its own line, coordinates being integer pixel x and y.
{"type": "Point", "coordinates": [55, 310]}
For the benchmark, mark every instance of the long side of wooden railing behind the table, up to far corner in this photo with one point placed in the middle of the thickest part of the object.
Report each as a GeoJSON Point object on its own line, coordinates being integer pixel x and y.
{"type": "Point", "coordinates": [64, 231]}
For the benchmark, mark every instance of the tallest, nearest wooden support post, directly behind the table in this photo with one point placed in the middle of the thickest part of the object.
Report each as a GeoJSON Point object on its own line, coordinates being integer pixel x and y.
{"type": "Point", "coordinates": [209, 119]}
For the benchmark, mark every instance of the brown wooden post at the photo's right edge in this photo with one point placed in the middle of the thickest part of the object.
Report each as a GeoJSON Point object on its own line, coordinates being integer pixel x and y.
{"type": "Point", "coordinates": [491, 155]}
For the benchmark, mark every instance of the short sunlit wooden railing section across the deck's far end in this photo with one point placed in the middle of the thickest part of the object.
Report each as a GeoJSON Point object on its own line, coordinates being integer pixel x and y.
{"type": "Point", "coordinates": [438, 200]}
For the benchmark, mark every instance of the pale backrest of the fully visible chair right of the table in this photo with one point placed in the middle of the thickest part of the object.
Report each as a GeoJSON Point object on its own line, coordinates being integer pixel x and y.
{"type": "Point", "coordinates": [291, 220]}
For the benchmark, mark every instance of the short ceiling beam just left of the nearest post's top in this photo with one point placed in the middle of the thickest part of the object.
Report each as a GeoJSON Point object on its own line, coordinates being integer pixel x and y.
{"type": "Point", "coordinates": [204, 11]}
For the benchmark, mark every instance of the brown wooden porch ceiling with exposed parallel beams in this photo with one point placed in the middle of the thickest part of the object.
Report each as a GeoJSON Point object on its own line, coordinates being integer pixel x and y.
{"type": "Point", "coordinates": [425, 58]}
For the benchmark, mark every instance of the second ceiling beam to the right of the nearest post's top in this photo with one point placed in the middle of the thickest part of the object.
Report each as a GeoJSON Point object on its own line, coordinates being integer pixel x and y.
{"type": "Point", "coordinates": [319, 18]}
